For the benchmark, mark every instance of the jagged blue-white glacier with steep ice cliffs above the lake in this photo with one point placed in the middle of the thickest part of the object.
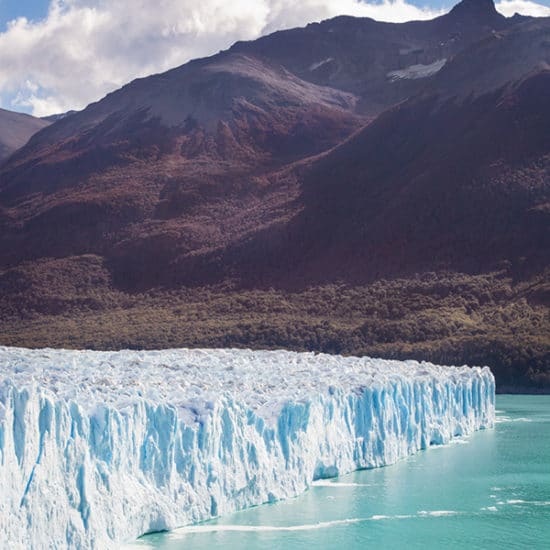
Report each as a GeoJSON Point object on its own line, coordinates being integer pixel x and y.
{"type": "Point", "coordinates": [98, 448]}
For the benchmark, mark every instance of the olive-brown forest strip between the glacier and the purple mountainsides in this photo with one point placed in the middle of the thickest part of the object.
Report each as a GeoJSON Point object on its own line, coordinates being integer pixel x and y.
{"type": "Point", "coordinates": [447, 318]}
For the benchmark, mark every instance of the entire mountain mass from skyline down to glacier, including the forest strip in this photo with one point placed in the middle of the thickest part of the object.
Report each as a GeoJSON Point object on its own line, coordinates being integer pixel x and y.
{"type": "Point", "coordinates": [352, 186]}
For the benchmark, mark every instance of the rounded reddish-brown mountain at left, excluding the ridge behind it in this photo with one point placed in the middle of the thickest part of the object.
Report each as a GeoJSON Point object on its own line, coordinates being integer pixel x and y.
{"type": "Point", "coordinates": [161, 165]}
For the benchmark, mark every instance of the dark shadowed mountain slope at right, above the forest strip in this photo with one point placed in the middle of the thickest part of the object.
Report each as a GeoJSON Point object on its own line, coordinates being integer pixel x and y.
{"type": "Point", "coordinates": [456, 177]}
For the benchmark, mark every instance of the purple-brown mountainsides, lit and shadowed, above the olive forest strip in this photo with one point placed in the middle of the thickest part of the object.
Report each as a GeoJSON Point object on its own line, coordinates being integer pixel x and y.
{"type": "Point", "coordinates": [349, 151]}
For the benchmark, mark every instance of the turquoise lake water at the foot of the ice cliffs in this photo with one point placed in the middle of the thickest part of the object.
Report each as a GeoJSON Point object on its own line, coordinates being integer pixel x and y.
{"type": "Point", "coordinates": [489, 491]}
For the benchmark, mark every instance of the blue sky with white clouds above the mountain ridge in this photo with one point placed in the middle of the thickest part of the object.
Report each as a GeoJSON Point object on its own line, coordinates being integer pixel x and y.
{"type": "Point", "coordinates": [57, 55]}
